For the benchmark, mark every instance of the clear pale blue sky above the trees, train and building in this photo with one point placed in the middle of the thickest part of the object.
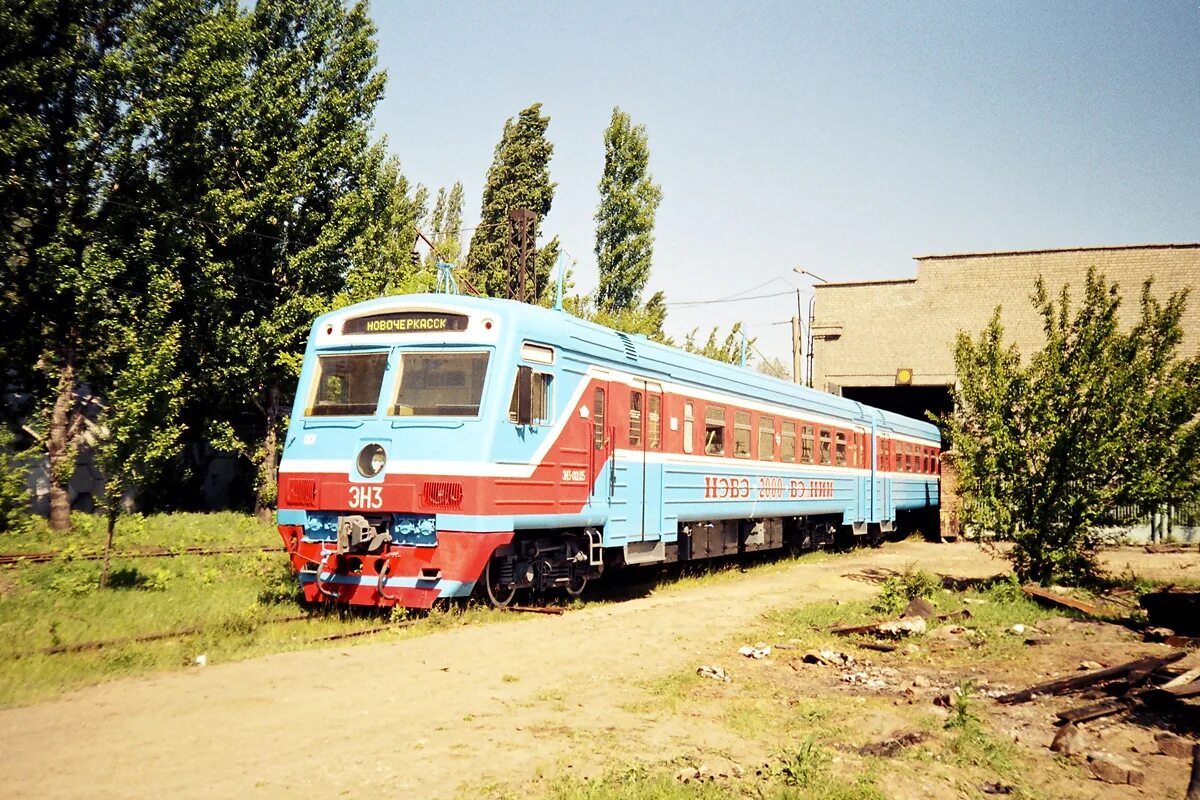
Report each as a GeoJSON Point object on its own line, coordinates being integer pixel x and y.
{"type": "Point", "coordinates": [842, 137]}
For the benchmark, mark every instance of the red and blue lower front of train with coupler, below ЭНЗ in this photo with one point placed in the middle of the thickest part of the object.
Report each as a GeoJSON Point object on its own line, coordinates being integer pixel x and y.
{"type": "Point", "coordinates": [386, 560]}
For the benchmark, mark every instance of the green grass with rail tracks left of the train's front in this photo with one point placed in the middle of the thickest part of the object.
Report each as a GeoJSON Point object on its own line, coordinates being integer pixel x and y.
{"type": "Point", "coordinates": [231, 598]}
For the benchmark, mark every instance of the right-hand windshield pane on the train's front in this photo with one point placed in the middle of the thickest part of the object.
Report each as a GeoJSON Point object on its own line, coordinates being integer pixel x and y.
{"type": "Point", "coordinates": [440, 384]}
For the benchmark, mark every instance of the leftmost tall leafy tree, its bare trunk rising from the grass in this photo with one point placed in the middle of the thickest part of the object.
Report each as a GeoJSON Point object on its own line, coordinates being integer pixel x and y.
{"type": "Point", "coordinates": [70, 140]}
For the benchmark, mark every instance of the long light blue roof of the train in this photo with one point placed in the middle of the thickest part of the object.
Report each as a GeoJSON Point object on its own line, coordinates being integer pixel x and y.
{"type": "Point", "coordinates": [637, 353]}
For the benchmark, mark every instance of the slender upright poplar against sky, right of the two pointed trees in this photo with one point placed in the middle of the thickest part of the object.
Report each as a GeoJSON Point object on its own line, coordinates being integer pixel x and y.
{"type": "Point", "coordinates": [629, 200]}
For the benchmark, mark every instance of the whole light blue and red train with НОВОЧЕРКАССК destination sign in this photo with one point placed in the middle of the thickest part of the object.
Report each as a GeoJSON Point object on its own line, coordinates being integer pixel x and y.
{"type": "Point", "coordinates": [442, 446]}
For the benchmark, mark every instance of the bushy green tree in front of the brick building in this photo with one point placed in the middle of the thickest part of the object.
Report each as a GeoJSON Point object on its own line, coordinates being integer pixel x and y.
{"type": "Point", "coordinates": [1099, 418]}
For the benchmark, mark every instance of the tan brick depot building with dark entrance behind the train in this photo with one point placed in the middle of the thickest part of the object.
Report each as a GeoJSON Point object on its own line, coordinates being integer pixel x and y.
{"type": "Point", "coordinates": [869, 336]}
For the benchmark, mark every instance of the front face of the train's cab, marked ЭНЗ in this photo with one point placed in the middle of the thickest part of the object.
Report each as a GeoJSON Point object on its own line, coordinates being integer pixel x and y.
{"type": "Point", "coordinates": [382, 497]}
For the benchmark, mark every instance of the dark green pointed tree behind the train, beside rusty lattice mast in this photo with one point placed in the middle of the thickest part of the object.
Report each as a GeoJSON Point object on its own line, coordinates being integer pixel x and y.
{"type": "Point", "coordinates": [518, 179]}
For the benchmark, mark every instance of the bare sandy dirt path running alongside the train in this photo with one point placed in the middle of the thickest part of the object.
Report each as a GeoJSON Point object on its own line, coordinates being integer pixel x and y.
{"type": "Point", "coordinates": [437, 715]}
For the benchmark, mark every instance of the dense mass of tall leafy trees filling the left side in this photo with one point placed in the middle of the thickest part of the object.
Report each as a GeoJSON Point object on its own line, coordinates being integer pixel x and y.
{"type": "Point", "coordinates": [203, 165]}
